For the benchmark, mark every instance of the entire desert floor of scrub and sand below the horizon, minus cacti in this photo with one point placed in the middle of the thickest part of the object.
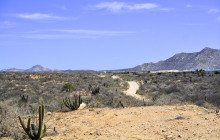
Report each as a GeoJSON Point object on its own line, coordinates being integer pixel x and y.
{"type": "Point", "coordinates": [115, 105]}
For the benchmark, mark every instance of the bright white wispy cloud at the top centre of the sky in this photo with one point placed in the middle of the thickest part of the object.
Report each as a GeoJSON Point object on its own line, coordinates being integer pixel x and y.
{"type": "Point", "coordinates": [117, 6]}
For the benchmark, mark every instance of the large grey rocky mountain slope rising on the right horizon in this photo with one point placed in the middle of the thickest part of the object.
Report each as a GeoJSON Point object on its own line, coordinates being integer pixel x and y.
{"type": "Point", "coordinates": [207, 59]}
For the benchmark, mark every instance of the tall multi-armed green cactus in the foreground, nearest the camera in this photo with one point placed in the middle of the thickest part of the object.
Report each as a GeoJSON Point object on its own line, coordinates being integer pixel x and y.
{"type": "Point", "coordinates": [31, 129]}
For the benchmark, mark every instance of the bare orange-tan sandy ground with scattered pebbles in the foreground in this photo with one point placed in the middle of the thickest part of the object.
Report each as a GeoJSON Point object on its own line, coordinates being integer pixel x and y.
{"type": "Point", "coordinates": [139, 123]}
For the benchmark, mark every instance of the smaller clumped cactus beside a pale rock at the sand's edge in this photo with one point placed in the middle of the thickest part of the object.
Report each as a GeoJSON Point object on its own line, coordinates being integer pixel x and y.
{"type": "Point", "coordinates": [74, 105]}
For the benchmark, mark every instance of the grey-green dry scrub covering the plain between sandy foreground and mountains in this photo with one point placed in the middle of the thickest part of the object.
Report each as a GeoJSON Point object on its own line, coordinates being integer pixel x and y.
{"type": "Point", "coordinates": [22, 93]}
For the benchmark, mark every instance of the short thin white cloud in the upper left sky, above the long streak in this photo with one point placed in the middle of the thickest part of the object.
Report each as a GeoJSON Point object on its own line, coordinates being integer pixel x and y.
{"type": "Point", "coordinates": [39, 16]}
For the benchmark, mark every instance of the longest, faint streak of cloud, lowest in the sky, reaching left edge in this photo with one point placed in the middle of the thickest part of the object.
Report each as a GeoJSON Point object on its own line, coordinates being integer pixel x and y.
{"type": "Point", "coordinates": [67, 34]}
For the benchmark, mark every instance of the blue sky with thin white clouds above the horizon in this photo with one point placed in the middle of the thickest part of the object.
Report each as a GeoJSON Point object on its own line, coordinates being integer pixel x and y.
{"type": "Point", "coordinates": [103, 35]}
